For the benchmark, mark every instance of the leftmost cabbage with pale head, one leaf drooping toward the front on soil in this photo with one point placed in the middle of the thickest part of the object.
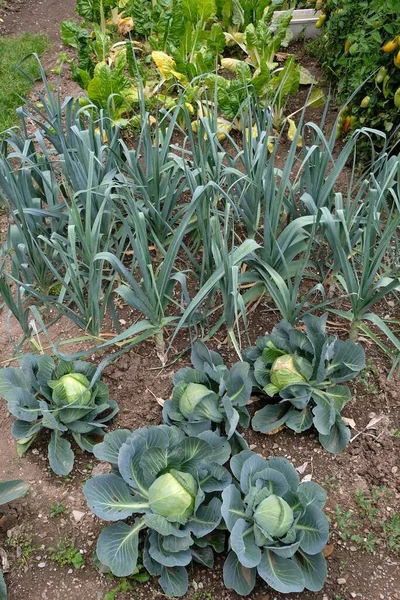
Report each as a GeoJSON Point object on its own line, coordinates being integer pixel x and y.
{"type": "Point", "coordinates": [60, 397]}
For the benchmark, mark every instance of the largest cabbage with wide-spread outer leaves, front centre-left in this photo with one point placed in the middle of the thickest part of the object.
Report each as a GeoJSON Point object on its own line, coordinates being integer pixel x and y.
{"type": "Point", "coordinates": [167, 485]}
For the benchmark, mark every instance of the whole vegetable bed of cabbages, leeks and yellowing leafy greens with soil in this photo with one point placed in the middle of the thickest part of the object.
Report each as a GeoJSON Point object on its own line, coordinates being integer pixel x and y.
{"type": "Point", "coordinates": [208, 215]}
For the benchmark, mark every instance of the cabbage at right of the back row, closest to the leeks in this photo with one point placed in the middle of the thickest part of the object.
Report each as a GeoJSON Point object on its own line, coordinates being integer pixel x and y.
{"type": "Point", "coordinates": [305, 369]}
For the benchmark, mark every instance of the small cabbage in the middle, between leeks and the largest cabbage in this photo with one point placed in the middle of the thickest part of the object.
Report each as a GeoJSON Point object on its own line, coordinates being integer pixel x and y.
{"type": "Point", "coordinates": [210, 396]}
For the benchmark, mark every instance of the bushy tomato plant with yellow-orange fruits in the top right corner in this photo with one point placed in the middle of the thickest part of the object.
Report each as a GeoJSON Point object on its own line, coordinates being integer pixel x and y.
{"type": "Point", "coordinates": [360, 53]}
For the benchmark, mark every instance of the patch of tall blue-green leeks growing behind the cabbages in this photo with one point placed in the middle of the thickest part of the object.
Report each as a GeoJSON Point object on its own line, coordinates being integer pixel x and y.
{"type": "Point", "coordinates": [191, 231]}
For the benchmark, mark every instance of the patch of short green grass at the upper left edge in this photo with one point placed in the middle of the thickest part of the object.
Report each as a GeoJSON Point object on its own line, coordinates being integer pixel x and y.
{"type": "Point", "coordinates": [12, 83]}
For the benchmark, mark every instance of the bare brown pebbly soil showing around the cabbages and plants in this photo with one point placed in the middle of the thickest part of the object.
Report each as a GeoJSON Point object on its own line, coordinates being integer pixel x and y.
{"type": "Point", "coordinates": [136, 381]}
